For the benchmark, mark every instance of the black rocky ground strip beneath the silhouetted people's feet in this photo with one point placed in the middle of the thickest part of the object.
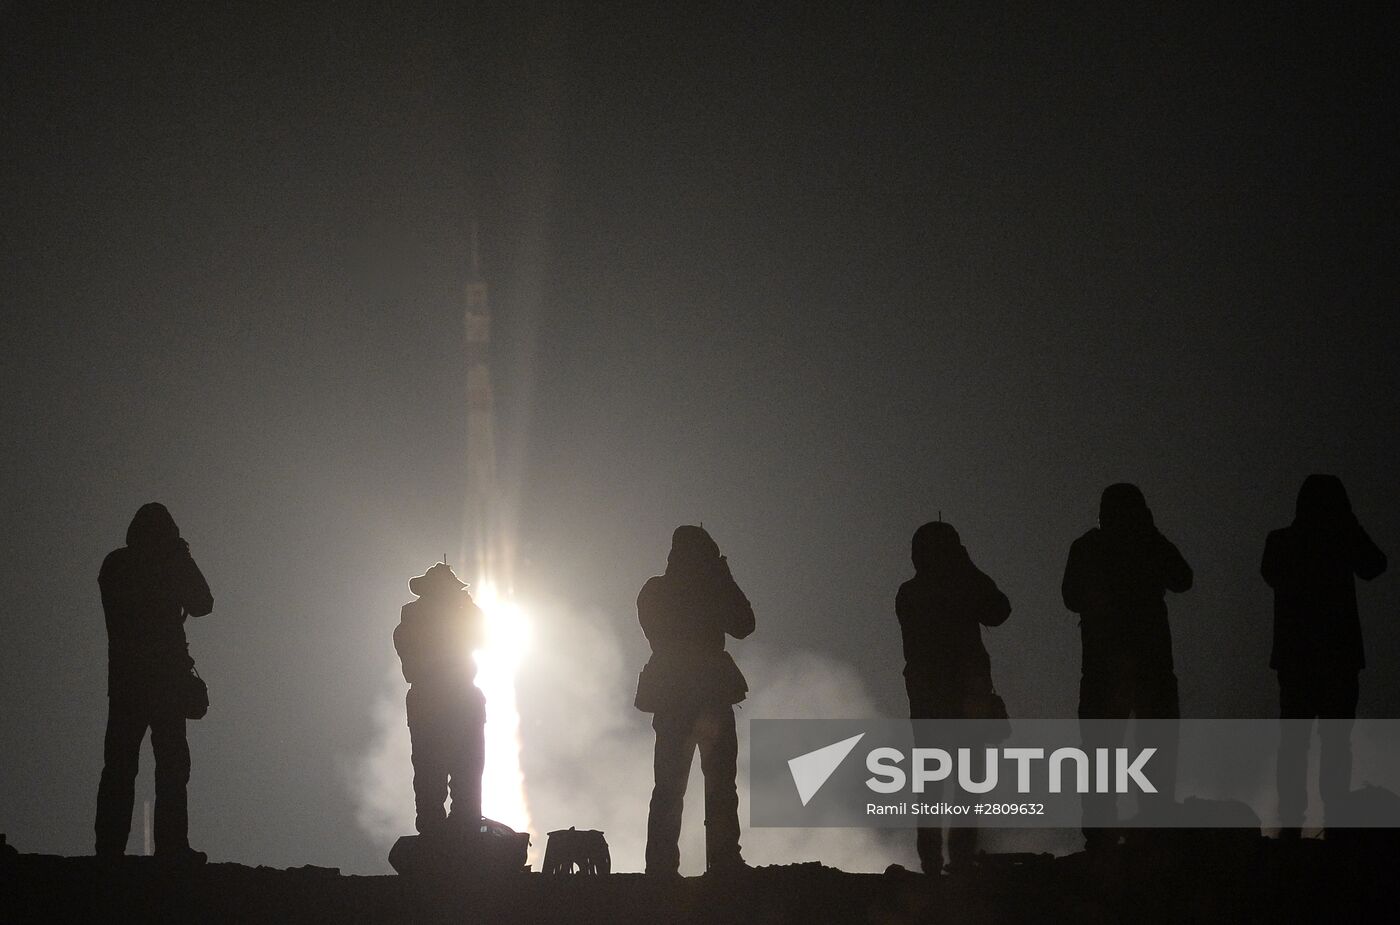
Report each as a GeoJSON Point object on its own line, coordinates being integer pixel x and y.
{"type": "Point", "coordinates": [1179, 877]}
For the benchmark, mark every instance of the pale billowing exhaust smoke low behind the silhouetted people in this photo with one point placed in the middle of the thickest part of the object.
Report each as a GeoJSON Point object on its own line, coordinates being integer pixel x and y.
{"type": "Point", "coordinates": [587, 751]}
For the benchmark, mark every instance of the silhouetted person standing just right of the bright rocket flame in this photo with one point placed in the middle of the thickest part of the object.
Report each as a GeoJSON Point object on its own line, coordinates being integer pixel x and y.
{"type": "Point", "coordinates": [691, 685]}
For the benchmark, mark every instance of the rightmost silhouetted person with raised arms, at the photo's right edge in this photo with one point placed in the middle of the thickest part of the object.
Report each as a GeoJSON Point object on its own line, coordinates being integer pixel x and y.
{"type": "Point", "coordinates": [1312, 566]}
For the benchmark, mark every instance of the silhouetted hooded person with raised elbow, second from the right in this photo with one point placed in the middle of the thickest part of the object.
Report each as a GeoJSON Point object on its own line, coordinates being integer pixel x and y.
{"type": "Point", "coordinates": [1116, 580]}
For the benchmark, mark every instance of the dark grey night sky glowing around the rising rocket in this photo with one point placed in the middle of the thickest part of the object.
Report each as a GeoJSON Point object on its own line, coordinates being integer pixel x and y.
{"type": "Point", "coordinates": [806, 278]}
